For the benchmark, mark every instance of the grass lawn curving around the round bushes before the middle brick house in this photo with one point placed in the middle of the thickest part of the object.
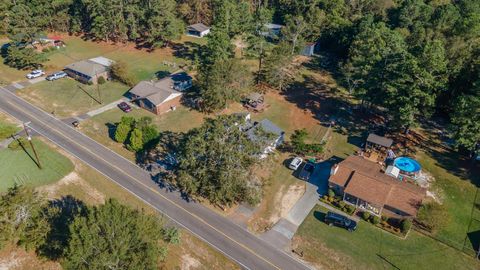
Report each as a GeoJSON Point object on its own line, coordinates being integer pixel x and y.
{"type": "Point", "coordinates": [97, 127]}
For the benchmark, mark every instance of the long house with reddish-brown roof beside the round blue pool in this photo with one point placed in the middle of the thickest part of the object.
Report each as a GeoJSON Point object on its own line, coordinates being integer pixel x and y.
{"type": "Point", "coordinates": [364, 184]}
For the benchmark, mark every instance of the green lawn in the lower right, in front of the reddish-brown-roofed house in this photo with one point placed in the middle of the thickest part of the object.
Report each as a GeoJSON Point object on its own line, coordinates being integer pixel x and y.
{"type": "Point", "coordinates": [335, 248]}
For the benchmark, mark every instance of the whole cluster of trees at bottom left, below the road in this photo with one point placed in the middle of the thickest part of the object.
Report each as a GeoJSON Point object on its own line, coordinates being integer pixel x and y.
{"type": "Point", "coordinates": [108, 236]}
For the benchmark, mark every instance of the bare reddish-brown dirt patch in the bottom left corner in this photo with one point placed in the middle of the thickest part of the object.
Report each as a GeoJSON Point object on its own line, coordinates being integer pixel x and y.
{"type": "Point", "coordinates": [19, 259]}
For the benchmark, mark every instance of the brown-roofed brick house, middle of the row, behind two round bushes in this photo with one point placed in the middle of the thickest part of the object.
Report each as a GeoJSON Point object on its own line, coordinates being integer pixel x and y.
{"type": "Point", "coordinates": [163, 95]}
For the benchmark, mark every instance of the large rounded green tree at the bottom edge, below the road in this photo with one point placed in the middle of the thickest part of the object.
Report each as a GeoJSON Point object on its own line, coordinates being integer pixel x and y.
{"type": "Point", "coordinates": [113, 236]}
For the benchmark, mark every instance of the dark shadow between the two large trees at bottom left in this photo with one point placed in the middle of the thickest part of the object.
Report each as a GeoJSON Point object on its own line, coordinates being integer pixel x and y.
{"type": "Point", "coordinates": [62, 213]}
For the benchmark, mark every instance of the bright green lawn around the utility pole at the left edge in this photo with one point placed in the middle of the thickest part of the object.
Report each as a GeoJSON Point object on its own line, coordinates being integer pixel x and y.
{"type": "Point", "coordinates": [18, 167]}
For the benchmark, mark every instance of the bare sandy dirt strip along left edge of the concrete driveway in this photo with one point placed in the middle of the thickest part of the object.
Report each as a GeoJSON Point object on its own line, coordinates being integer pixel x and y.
{"type": "Point", "coordinates": [286, 200]}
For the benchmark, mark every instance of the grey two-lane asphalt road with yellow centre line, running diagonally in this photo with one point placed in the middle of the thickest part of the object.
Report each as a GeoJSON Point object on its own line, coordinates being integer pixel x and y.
{"type": "Point", "coordinates": [249, 251]}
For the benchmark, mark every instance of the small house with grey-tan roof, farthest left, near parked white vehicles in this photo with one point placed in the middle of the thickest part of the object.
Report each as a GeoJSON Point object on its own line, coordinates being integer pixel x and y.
{"type": "Point", "coordinates": [88, 71]}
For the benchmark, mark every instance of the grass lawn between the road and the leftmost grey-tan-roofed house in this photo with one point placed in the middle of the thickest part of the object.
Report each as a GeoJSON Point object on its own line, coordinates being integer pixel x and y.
{"type": "Point", "coordinates": [67, 97]}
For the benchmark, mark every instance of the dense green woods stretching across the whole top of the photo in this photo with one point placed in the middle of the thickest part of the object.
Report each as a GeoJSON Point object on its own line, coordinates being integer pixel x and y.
{"type": "Point", "coordinates": [414, 57]}
